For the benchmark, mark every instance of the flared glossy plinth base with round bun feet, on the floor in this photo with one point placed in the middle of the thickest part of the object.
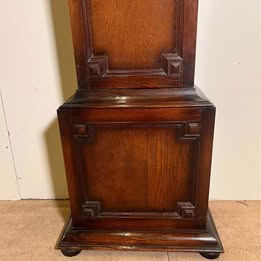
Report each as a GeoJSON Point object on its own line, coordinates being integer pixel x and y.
{"type": "Point", "coordinates": [206, 242]}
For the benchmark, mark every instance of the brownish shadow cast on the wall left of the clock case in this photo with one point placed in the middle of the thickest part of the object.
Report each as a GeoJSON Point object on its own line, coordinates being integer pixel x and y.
{"type": "Point", "coordinates": [62, 34]}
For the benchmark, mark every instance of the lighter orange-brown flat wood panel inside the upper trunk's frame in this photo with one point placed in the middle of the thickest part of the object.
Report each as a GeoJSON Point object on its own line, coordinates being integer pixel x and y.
{"type": "Point", "coordinates": [133, 33]}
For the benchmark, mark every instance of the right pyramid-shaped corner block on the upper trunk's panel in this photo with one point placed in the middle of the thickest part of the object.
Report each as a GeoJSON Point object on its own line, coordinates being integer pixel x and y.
{"type": "Point", "coordinates": [172, 64]}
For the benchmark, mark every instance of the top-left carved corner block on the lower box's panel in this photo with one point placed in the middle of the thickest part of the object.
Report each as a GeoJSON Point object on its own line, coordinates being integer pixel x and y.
{"type": "Point", "coordinates": [84, 132]}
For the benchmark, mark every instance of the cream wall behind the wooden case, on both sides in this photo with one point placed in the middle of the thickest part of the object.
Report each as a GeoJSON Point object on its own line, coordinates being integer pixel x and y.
{"type": "Point", "coordinates": [37, 74]}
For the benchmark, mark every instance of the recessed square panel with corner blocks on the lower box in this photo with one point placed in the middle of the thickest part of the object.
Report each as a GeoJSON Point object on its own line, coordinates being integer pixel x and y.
{"type": "Point", "coordinates": [136, 169]}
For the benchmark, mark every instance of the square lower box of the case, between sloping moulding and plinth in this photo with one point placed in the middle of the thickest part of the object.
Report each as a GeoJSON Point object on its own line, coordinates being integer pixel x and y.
{"type": "Point", "coordinates": [190, 132]}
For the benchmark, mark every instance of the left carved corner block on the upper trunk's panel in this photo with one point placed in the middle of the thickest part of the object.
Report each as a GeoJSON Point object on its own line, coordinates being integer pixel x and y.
{"type": "Point", "coordinates": [98, 66]}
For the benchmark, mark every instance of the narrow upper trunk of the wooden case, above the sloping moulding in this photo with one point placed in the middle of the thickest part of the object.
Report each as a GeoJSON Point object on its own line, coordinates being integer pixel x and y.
{"type": "Point", "coordinates": [134, 43]}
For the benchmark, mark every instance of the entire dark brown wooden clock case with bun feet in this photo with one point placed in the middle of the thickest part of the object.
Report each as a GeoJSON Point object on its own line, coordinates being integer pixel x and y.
{"type": "Point", "coordinates": [137, 134]}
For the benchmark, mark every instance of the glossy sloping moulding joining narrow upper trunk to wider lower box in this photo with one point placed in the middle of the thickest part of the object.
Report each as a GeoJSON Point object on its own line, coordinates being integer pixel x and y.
{"type": "Point", "coordinates": [138, 98]}
